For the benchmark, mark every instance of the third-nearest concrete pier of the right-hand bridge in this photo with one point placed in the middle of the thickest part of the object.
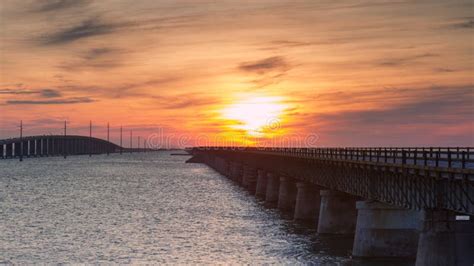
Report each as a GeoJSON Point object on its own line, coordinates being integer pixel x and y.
{"type": "Point", "coordinates": [338, 213]}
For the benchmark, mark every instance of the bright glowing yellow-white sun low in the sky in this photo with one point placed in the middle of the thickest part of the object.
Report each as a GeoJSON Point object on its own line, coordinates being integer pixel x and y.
{"type": "Point", "coordinates": [256, 116]}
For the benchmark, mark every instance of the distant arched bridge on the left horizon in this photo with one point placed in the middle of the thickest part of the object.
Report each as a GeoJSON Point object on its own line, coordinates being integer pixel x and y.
{"type": "Point", "coordinates": [55, 145]}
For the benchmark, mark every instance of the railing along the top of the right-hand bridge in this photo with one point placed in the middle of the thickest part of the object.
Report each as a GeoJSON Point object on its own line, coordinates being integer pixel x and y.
{"type": "Point", "coordinates": [449, 157]}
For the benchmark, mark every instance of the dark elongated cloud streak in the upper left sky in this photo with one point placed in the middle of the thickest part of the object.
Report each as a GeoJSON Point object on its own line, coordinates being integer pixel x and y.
{"type": "Point", "coordinates": [88, 28]}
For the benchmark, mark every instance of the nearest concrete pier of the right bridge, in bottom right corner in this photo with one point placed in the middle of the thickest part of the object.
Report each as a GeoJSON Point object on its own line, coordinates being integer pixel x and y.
{"type": "Point", "coordinates": [445, 241]}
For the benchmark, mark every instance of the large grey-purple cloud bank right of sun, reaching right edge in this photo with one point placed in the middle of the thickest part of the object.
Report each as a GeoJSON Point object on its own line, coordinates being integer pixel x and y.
{"type": "Point", "coordinates": [437, 105]}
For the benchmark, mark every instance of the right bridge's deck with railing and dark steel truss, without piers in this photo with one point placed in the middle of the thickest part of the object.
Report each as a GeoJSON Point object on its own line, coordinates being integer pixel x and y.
{"type": "Point", "coordinates": [423, 178]}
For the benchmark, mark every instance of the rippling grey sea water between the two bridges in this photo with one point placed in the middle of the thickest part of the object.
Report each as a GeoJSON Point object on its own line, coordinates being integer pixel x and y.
{"type": "Point", "coordinates": [145, 208]}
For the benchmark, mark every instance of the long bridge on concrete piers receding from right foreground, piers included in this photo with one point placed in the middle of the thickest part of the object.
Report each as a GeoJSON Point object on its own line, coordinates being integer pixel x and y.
{"type": "Point", "coordinates": [398, 202]}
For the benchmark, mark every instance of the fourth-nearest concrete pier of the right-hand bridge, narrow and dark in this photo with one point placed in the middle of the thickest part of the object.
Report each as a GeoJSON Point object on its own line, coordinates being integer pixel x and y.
{"type": "Point", "coordinates": [307, 202]}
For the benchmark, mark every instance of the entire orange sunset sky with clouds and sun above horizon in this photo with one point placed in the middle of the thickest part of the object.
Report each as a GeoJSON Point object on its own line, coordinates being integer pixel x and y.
{"type": "Point", "coordinates": [341, 73]}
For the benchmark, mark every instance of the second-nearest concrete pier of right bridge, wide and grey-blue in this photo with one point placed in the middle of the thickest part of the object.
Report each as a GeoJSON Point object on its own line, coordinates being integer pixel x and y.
{"type": "Point", "coordinates": [385, 231]}
